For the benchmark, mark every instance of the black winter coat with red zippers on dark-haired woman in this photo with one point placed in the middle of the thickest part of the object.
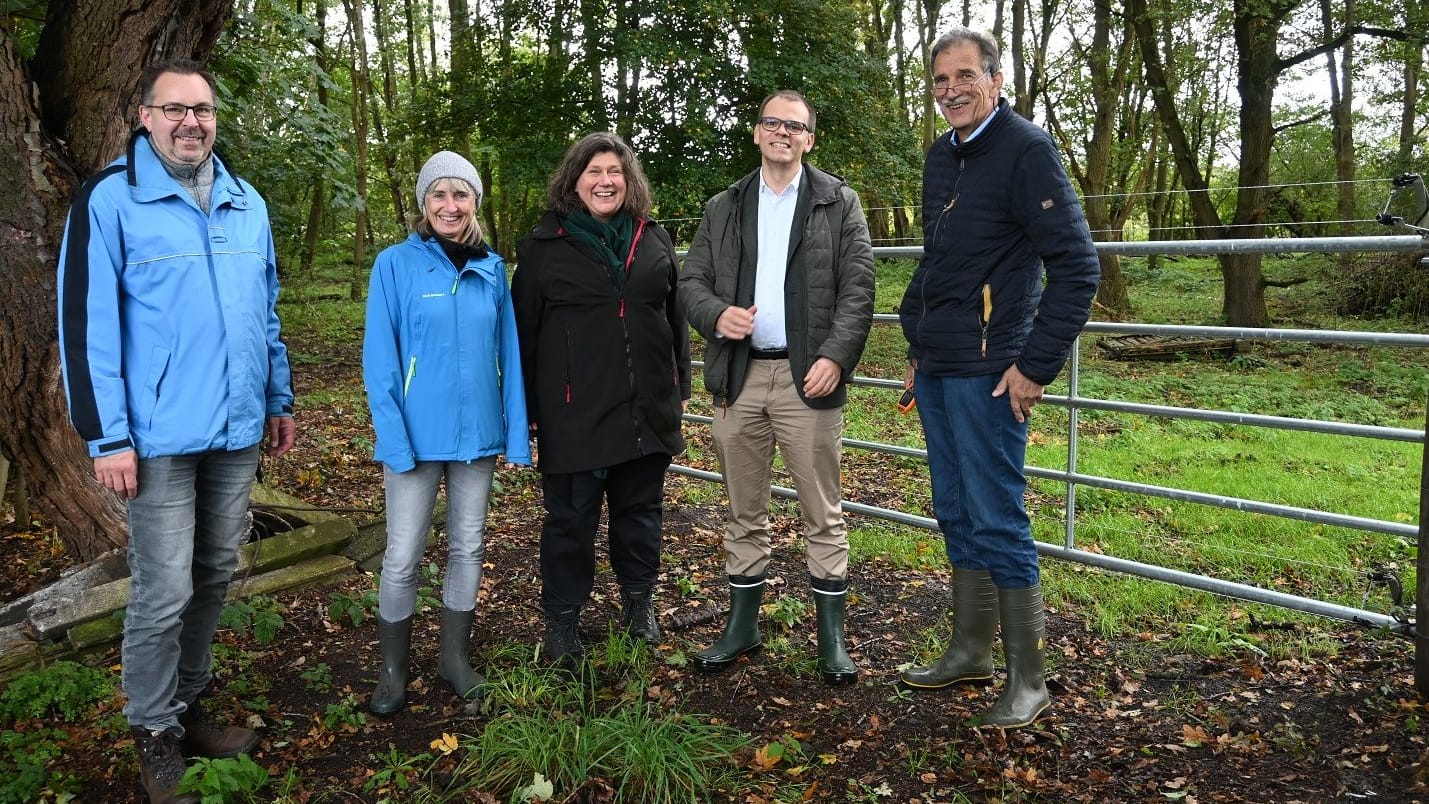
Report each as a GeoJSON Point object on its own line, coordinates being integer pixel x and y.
{"type": "Point", "coordinates": [607, 368]}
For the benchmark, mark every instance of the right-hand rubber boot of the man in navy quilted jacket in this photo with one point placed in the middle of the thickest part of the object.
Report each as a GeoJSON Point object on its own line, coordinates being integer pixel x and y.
{"type": "Point", "coordinates": [1024, 642]}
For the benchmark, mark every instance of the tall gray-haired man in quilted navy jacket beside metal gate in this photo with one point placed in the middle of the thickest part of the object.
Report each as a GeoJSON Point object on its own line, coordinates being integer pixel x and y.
{"type": "Point", "coordinates": [985, 336]}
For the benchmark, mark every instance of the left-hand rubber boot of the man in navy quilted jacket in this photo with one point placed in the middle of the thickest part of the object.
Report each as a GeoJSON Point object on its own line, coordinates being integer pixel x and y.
{"type": "Point", "coordinates": [968, 656]}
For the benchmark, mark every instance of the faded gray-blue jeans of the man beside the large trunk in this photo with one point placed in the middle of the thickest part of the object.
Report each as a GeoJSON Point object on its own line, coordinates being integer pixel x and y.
{"type": "Point", "coordinates": [185, 531]}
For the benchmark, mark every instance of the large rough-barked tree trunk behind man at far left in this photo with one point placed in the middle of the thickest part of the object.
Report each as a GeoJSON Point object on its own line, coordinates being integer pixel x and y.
{"type": "Point", "coordinates": [79, 91]}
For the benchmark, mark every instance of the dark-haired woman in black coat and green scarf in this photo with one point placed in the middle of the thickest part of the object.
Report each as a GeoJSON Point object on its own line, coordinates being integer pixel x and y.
{"type": "Point", "coordinates": [607, 359]}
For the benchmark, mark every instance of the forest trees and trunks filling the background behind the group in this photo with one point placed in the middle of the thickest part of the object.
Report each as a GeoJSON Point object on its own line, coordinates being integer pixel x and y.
{"type": "Point", "coordinates": [1180, 119]}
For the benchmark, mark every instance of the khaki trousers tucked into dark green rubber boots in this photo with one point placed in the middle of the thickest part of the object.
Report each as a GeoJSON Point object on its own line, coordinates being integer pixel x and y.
{"type": "Point", "coordinates": [768, 413]}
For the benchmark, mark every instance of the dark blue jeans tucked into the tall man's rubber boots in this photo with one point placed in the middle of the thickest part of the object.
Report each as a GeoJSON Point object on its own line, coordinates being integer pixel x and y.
{"type": "Point", "coordinates": [975, 453]}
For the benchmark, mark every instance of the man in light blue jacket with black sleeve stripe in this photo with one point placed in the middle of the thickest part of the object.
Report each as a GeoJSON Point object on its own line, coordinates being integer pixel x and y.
{"type": "Point", "coordinates": [175, 375]}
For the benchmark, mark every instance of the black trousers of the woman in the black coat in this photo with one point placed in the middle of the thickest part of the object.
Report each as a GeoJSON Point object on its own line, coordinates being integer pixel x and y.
{"type": "Point", "coordinates": [634, 493]}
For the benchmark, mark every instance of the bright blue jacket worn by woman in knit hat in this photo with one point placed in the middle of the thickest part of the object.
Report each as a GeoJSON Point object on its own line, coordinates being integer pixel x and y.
{"type": "Point", "coordinates": [441, 359]}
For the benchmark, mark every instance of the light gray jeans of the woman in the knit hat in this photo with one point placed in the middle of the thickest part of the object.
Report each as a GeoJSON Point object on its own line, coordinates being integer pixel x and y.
{"type": "Point", "coordinates": [411, 498]}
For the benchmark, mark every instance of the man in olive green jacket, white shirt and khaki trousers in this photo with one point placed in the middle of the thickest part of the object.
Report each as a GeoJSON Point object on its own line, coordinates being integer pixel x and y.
{"type": "Point", "coordinates": [780, 281]}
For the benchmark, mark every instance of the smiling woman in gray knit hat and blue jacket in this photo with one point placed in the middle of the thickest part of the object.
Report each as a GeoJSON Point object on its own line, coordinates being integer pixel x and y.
{"type": "Point", "coordinates": [444, 379]}
